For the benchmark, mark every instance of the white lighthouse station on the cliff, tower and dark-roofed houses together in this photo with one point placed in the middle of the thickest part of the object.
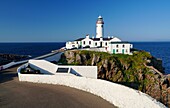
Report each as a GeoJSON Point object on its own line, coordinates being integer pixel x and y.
{"type": "Point", "coordinates": [109, 44]}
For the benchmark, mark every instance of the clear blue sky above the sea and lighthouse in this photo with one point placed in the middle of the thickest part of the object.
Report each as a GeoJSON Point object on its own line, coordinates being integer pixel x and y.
{"type": "Point", "coordinates": [66, 20]}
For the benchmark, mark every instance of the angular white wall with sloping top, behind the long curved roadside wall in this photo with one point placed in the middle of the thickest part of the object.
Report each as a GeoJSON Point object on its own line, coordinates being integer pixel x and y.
{"type": "Point", "coordinates": [47, 68]}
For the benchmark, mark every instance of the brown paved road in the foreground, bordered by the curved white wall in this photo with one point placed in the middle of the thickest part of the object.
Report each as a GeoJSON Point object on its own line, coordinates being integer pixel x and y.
{"type": "Point", "coordinates": [15, 94]}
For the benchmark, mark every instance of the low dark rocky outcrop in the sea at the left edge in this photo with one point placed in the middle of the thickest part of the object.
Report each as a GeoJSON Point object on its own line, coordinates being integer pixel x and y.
{"type": "Point", "coordinates": [7, 58]}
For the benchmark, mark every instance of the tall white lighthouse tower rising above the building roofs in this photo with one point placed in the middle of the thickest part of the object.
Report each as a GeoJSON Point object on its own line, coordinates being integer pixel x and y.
{"type": "Point", "coordinates": [99, 27]}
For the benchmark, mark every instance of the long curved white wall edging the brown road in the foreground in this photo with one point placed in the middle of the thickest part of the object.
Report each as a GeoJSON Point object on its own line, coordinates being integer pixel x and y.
{"type": "Point", "coordinates": [119, 95]}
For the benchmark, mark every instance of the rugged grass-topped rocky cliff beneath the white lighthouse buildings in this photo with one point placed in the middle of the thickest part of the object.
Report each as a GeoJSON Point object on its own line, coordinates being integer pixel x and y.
{"type": "Point", "coordinates": [140, 71]}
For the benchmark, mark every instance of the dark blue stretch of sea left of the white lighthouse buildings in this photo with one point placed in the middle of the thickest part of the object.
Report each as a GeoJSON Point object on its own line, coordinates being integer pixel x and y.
{"type": "Point", "coordinates": [32, 49]}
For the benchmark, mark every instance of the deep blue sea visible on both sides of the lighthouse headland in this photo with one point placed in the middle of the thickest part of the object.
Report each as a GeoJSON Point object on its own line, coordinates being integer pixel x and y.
{"type": "Point", "coordinates": [157, 49]}
